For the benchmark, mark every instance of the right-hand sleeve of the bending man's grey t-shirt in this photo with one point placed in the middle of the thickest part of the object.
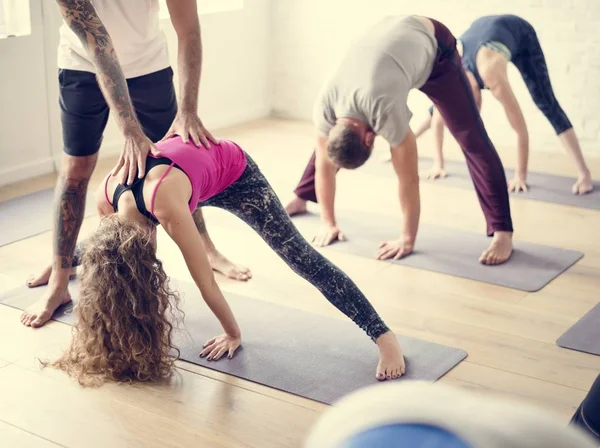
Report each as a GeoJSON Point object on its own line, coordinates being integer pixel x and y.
{"type": "Point", "coordinates": [391, 120]}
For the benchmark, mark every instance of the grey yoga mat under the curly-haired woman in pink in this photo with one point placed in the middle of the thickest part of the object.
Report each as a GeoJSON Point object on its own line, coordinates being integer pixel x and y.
{"type": "Point", "coordinates": [291, 350]}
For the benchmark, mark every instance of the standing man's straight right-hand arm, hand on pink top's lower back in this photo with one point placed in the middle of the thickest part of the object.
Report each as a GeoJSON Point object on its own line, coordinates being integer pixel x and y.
{"type": "Point", "coordinates": [184, 16]}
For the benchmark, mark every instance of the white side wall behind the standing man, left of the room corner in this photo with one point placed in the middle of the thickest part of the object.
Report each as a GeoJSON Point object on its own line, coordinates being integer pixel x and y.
{"type": "Point", "coordinates": [233, 88]}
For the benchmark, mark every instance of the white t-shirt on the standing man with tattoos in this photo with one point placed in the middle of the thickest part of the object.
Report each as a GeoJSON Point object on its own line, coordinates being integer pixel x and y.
{"type": "Point", "coordinates": [133, 26]}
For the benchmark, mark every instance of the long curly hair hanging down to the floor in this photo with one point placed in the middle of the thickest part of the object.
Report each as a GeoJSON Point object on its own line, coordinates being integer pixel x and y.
{"type": "Point", "coordinates": [126, 312]}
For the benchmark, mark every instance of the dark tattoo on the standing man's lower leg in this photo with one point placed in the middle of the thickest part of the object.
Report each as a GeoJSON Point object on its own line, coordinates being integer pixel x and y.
{"type": "Point", "coordinates": [71, 207]}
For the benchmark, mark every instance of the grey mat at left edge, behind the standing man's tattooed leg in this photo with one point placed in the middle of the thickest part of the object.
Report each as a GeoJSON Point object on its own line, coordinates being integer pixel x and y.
{"type": "Point", "coordinates": [30, 215]}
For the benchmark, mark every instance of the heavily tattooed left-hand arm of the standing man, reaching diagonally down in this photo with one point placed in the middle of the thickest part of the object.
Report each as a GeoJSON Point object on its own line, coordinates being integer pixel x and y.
{"type": "Point", "coordinates": [81, 17]}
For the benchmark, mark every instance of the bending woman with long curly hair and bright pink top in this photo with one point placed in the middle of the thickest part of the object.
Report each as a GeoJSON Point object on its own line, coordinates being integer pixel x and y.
{"type": "Point", "coordinates": [124, 316]}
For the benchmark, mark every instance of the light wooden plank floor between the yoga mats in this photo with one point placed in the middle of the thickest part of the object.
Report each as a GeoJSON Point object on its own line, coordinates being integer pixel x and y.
{"type": "Point", "coordinates": [508, 334]}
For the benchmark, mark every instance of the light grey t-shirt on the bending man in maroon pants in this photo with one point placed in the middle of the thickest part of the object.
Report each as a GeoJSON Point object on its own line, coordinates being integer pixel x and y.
{"type": "Point", "coordinates": [374, 79]}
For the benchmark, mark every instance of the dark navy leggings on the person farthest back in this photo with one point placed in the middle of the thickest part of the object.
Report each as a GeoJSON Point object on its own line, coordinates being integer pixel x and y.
{"type": "Point", "coordinates": [532, 66]}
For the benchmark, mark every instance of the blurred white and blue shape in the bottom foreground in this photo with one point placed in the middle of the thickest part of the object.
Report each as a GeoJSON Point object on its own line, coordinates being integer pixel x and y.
{"type": "Point", "coordinates": [420, 414]}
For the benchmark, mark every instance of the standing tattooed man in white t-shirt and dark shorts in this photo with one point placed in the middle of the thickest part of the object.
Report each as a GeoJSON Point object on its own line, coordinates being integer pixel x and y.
{"type": "Point", "coordinates": [113, 56]}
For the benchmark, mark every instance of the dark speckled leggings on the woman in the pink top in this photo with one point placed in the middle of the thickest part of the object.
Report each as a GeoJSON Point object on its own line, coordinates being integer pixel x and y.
{"type": "Point", "coordinates": [252, 199]}
